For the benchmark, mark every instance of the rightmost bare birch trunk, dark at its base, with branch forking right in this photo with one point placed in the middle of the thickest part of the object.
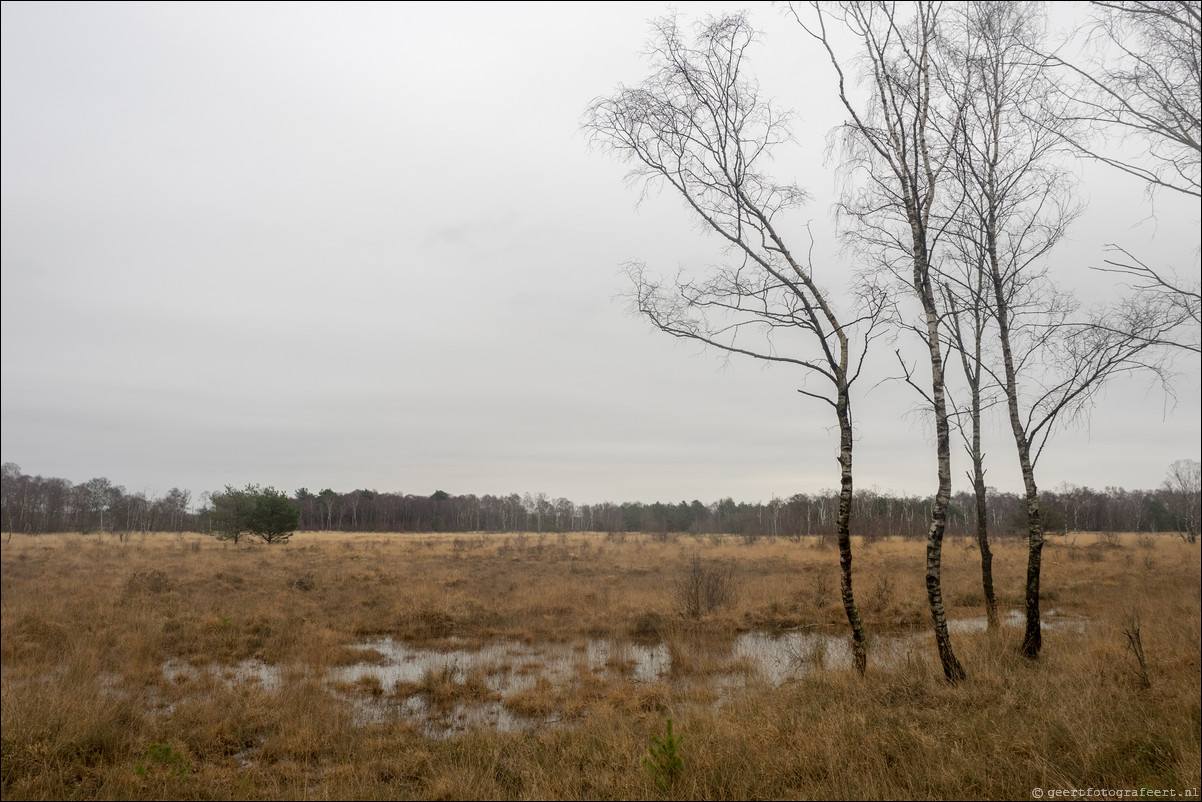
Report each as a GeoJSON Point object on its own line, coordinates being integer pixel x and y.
{"type": "Point", "coordinates": [1015, 204]}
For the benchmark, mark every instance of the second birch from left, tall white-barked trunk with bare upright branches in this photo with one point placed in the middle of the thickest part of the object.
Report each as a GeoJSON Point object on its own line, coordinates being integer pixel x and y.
{"type": "Point", "coordinates": [892, 138]}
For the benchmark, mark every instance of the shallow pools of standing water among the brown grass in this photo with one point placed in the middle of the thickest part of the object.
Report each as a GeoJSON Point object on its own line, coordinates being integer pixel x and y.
{"type": "Point", "coordinates": [513, 686]}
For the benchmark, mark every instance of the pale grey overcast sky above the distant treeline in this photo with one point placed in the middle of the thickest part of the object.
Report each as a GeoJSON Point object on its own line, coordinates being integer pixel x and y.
{"type": "Point", "coordinates": [368, 246]}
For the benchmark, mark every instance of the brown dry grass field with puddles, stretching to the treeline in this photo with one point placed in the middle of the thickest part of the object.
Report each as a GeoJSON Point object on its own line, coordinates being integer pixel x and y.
{"type": "Point", "coordinates": [182, 668]}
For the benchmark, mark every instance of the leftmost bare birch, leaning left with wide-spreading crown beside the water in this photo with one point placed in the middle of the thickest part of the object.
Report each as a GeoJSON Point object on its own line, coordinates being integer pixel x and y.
{"type": "Point", "coordinates": [700, 127]}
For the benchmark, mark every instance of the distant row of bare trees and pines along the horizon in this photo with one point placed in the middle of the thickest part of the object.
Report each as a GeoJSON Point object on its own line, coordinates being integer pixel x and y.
{"type": "Point", "coordinates": [38, 504]}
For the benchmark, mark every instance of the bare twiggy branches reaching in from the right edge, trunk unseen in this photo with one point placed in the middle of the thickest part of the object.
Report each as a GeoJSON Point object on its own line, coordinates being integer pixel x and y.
{"type": "Point", "coordinates": [1139, 94]}
